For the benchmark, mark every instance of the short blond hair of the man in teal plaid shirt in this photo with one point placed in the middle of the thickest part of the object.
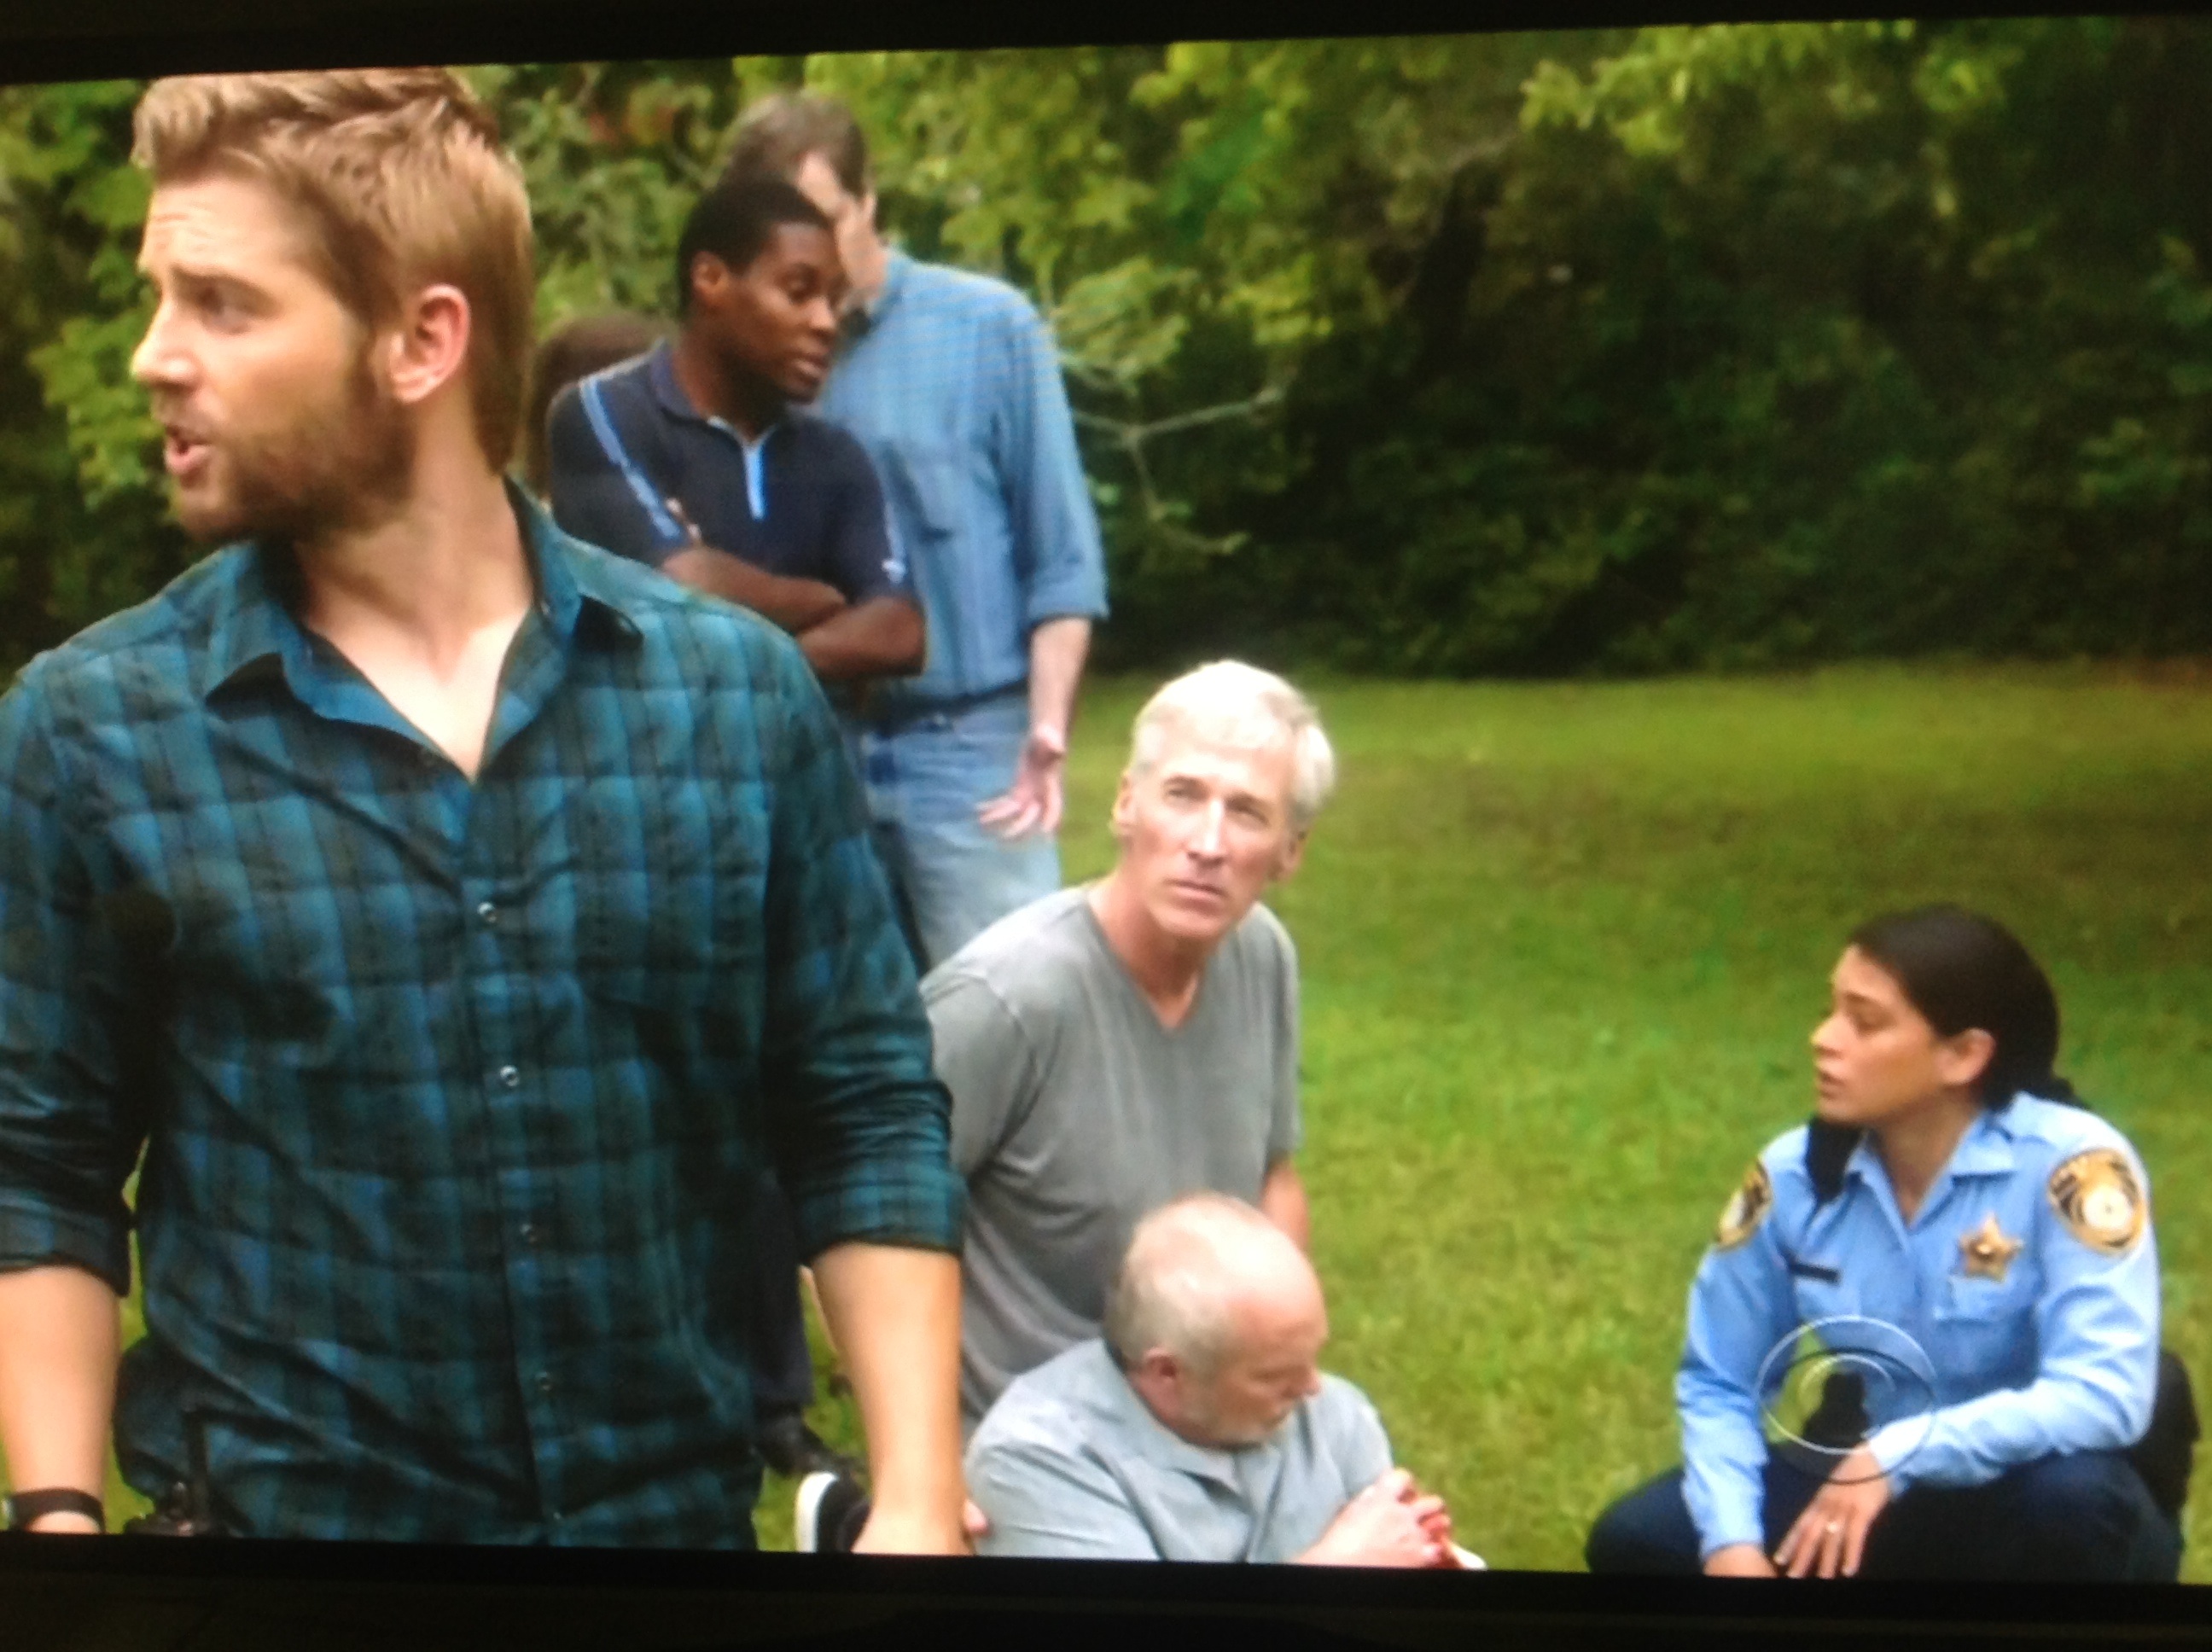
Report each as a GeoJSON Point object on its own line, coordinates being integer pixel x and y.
{"type": "Point", "coordinates": [399, 180]}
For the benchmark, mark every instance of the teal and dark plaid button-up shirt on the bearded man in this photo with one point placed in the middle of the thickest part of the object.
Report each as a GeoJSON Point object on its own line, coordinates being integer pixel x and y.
{"type": "Point", "coordinates": [450, 1094]}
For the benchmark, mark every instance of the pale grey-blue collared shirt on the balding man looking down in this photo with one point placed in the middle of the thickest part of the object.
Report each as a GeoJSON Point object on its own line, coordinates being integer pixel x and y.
{"type": "Point", "coordinates": [1074, 1465]}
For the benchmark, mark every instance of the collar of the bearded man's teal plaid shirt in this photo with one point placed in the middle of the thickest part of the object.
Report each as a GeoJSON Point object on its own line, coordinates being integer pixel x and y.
{"type": "Point", "coordinates": [258, 629]}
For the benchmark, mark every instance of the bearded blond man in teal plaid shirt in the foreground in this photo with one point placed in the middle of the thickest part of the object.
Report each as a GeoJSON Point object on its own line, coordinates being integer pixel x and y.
{"type": "Point", "coordinates": [452, 914]}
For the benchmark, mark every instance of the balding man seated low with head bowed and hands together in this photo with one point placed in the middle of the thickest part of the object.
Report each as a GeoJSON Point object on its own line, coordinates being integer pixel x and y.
{"type": "Point", "coordinates": [1200, 1425]}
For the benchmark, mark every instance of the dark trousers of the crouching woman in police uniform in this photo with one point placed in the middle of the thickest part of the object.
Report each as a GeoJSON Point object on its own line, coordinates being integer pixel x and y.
{"type": "Point", "coordinates": [2076, 1518]}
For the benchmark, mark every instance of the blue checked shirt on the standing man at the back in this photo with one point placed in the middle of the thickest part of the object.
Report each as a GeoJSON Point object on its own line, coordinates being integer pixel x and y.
{"type": "Point", "coordinates": [954, 390]}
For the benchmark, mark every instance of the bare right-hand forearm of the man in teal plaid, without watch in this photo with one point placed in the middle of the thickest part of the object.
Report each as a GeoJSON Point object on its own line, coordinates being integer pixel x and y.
{"type": "Point", "coordinates": [895, 1317]}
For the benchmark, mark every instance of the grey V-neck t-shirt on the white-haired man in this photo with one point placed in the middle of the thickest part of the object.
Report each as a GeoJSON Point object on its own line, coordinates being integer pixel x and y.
{"type": "Point", "coordinates": [1076, 1113]}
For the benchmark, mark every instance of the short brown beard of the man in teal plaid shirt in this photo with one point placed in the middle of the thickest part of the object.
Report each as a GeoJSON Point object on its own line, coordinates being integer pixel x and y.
{"type": "Point", "coordinates": [337, 468]}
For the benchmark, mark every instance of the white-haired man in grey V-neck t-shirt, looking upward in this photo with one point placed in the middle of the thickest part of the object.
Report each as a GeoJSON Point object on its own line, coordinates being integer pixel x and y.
{"type": "Point", "coordinates": [1116, 1047]}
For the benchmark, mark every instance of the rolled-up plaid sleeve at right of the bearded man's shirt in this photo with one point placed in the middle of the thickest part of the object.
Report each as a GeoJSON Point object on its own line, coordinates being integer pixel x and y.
{"type": "Point", "coordinates": [857, 1118]}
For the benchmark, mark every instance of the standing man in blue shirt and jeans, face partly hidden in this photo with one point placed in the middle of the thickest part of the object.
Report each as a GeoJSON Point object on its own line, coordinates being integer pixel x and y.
{"type": "Point", "coordinates": [952, 384]}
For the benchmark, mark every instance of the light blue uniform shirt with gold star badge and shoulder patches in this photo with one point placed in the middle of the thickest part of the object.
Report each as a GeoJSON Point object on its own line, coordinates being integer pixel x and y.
{"type": "Point", "coordinates": [2030, 1279]}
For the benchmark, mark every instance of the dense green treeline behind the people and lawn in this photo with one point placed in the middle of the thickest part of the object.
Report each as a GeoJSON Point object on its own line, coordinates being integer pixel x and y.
{"type": "Point", "coordinates": [1527, 353]}
